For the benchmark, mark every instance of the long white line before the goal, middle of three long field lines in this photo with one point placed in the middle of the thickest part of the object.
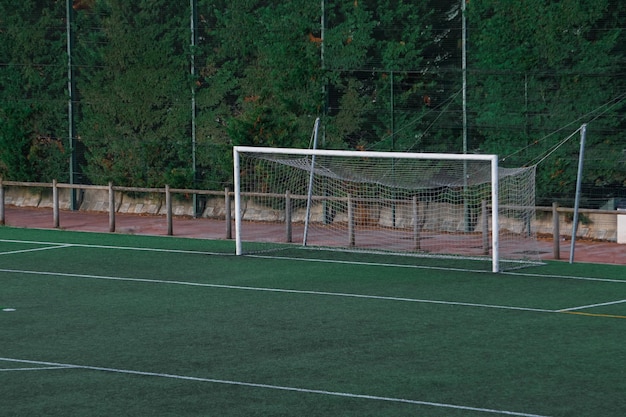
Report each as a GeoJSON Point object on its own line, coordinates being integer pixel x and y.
{"type": "Point", "coordinates": [278, 290]}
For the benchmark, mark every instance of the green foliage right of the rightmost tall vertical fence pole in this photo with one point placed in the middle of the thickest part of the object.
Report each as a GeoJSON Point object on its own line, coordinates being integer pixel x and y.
{"type": "Point", "coordinates": [539, 69]}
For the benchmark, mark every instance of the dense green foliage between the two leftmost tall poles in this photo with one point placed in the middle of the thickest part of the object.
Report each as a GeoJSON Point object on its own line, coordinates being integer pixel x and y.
{"type": "Point", "coordinates": [135, 94]}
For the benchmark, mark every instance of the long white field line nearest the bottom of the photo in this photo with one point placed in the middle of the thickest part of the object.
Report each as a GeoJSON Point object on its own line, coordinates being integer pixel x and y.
{"type": "Point", "coordinates": [274, 387]}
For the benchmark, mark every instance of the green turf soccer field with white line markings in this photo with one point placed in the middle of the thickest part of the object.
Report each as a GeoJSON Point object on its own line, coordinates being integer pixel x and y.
{"type": "Point", "coordinates": [107, 324]}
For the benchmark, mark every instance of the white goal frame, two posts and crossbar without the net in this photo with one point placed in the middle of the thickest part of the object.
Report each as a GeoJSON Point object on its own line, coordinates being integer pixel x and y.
{"type": "Point", "coordinates": [492, 159]}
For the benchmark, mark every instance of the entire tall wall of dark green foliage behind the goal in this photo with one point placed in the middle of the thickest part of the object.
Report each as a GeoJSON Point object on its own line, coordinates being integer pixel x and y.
{"type": "Point", "coordinates": [387, 76]}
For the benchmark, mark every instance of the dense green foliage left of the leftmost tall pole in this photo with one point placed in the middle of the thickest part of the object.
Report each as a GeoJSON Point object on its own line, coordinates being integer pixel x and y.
{"type": "Point", "coordinates": [33, 113]}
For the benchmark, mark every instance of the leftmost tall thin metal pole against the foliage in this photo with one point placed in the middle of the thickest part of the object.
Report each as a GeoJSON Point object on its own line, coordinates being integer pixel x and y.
{"type": "Point", "coordinates": [71, 87]}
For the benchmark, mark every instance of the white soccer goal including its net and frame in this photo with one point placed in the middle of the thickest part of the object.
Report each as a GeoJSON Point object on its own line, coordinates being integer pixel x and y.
{"type": "Point", "coordinates": [421, 204]}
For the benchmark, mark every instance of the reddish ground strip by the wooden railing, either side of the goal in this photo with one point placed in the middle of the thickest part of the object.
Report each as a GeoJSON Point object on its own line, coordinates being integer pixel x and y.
{"type": "Point", "coordinates": [586, 251]}
